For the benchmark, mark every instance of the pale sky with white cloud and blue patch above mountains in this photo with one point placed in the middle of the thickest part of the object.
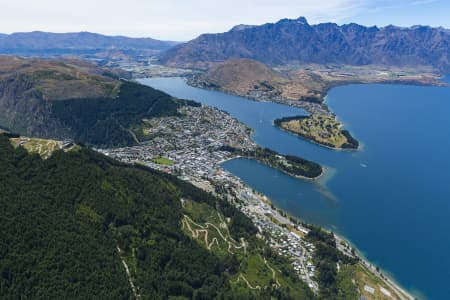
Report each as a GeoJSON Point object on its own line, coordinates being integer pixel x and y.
{"type": "Point", "coordinates": [182, 20]}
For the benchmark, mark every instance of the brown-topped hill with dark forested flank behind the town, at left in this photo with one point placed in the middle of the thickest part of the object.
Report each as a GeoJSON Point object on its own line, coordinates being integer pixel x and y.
{"type": "Point", "coordinates": [74, 99]}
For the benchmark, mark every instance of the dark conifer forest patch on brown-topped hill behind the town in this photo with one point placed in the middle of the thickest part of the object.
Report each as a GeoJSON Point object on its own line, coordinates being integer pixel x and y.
{"type": "Point", "coordinates": [106, 122]}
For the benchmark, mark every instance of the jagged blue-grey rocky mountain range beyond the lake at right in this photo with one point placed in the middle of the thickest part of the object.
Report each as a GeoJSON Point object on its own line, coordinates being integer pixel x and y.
{"type": "Point", "coordinates": [296, 41]}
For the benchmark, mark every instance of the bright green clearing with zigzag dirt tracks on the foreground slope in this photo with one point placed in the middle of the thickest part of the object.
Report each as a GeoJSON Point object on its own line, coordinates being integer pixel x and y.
{"type": "Point", "coordinates": [260, 270]}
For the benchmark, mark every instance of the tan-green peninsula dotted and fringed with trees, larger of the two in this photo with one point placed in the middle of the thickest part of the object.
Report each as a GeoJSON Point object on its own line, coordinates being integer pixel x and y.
{"type": "Point", "coordinates": [322, 129]}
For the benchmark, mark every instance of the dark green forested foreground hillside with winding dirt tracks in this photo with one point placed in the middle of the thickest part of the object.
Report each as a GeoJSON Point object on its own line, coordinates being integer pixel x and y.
{"type": "Point", "coordinates": [79, 225]}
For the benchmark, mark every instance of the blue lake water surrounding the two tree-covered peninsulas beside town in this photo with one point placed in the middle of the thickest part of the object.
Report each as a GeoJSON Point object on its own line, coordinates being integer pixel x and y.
{"type": "Point", "coordinates": [391, 199]}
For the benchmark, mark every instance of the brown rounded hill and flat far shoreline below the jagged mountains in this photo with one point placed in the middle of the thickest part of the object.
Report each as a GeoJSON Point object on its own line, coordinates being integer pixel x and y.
{"type": "Point", "coordinates": [310, 83]}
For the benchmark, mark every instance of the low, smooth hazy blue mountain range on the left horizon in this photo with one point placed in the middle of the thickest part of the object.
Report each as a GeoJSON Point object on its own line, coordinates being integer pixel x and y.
{"type": "Point", "coordinates": [38, 41]}
